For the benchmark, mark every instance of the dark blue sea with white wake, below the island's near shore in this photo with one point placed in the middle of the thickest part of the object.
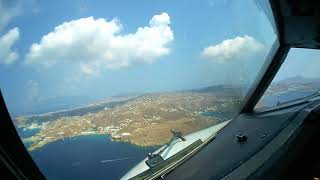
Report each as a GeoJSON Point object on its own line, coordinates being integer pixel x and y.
{"type": "Point", "coordinates": [88, 157]}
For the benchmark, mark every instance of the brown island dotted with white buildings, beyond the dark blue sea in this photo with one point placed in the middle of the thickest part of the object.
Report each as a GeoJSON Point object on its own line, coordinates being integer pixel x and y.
{"type": "Point", "coordinates": [143, 120]}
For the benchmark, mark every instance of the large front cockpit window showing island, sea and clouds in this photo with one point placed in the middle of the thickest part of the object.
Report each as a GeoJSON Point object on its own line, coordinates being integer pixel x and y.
{"type": "Point", "coordinates": [94, 86]}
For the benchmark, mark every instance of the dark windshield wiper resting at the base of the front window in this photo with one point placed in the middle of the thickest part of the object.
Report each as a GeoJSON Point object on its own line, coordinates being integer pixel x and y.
{"type": "Point", "coordinates": [155, 158]}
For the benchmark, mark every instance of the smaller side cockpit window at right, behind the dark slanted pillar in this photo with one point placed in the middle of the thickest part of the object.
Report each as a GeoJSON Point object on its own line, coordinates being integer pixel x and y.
{"type": "Point", "coordinates": [298, 77]}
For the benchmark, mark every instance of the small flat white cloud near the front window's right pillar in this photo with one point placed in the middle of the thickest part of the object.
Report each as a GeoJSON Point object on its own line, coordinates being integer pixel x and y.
{"type": "Point", "coordinates": [241, 47]}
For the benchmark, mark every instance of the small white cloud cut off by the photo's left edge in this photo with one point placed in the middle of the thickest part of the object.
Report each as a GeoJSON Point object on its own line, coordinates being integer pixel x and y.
{"type": "Point", "coordinates": [7, 55]}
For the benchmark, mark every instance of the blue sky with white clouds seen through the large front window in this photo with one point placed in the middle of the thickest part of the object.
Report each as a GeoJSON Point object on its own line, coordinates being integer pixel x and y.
{"type": "Point", "coordinates": [96, 49]}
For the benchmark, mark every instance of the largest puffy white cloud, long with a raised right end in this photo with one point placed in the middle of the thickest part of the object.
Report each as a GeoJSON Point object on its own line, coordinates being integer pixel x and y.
{"type": "Point", "coordinates": [99, 44]}
